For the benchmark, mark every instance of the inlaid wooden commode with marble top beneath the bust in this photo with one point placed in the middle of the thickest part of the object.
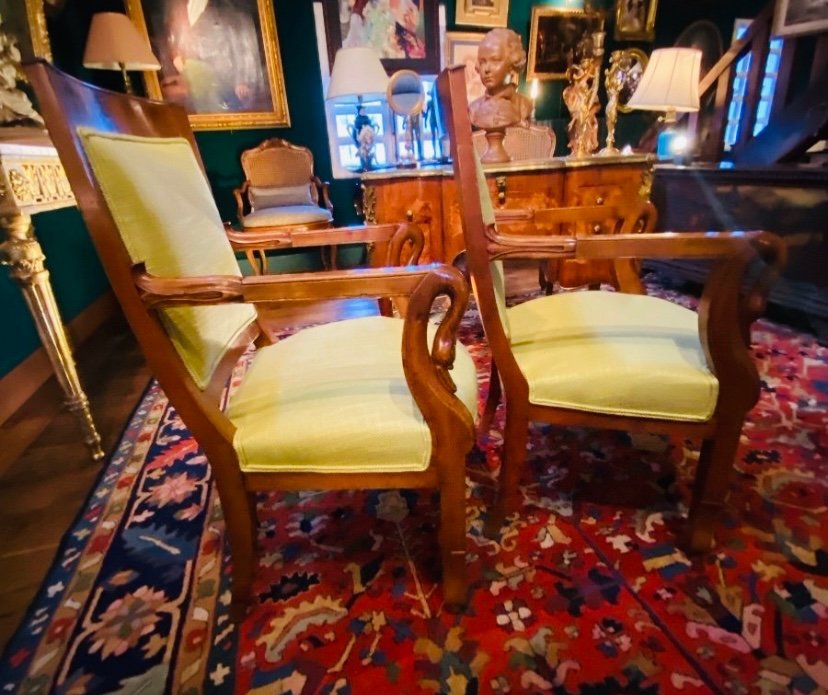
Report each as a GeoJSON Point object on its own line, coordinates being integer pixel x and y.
{"type": "Point", "coordinates": [428, 196]}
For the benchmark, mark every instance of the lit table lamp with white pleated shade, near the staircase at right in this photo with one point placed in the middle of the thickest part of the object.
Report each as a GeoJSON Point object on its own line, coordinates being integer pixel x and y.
{"type": "Point", "coordinates": [670, 83]}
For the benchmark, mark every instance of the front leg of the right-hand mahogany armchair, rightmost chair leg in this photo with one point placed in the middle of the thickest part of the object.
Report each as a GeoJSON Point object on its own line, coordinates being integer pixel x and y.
{"type": "Point", "coordinates": [710, 487]}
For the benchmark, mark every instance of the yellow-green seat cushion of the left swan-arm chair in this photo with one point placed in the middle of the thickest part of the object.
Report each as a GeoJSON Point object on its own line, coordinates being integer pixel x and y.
{"type": "Point", "coordinates": [333, 398]}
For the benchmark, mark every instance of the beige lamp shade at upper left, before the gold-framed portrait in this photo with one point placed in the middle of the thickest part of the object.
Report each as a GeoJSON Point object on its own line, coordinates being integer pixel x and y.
{"type": "Point", "coordinates": [114, 41]}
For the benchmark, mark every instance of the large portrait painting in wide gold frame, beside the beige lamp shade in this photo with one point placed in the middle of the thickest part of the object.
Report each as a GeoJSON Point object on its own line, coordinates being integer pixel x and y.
{"type": "Point", "coordinates": [219, 59]}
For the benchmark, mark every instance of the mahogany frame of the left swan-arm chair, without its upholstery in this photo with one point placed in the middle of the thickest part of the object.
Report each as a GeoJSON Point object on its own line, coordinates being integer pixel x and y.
{"type": "Point", "coordinates": [67, 103]}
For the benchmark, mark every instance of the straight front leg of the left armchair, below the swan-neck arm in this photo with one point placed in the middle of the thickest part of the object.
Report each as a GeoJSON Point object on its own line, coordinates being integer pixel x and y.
{"type": "Point", "coordinates": [453, 534]}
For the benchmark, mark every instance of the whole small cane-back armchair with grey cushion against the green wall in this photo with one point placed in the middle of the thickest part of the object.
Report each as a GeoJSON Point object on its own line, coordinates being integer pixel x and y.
{"type": "Point", "coordinates": [280, 190]}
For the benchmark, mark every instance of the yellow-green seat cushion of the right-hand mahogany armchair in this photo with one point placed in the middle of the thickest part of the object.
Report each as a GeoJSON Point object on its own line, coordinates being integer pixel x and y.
{"type": "Point", "coordinates": [613, 353]}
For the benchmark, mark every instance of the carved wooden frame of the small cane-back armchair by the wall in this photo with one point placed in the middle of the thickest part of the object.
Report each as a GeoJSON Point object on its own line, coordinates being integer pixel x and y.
{"type": "Point", "coordinates": [319, 189]}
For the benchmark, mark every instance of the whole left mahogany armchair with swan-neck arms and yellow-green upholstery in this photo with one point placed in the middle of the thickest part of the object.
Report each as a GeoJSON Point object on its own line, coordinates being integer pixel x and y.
{"type": "Point", "coordinates": [373, 402]}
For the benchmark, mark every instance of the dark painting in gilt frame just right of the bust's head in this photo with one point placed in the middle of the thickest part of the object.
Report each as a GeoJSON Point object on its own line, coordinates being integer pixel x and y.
{"type": "Point", "coordinates": [557, 39]}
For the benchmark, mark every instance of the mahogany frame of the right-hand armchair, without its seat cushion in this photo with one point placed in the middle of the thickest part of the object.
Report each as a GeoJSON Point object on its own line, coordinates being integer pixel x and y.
{"type": "Point", "coordinates": [733, 296]}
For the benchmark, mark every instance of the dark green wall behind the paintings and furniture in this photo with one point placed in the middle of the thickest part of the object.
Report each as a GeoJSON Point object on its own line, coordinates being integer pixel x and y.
{"type": "Point", "coordinates": [76, 273]}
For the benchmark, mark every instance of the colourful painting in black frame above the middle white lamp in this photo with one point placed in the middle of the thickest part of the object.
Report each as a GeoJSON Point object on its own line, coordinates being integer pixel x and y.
{"type": "Point", "coordinates": [405, 33]}
